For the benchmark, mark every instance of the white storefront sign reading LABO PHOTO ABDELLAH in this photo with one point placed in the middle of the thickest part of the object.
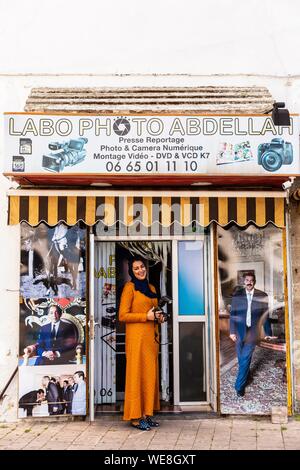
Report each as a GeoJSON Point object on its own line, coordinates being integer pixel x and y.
{"type": "Point", "coordinates": [139, 145]}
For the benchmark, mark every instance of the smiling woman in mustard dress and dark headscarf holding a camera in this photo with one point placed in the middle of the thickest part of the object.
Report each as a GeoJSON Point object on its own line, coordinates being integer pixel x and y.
{"type": "Point", "coordinates": [137, 305]}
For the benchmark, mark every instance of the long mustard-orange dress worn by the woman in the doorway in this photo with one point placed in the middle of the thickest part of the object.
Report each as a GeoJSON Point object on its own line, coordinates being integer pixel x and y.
{"type": "Point", "coordinates": [141, 388]}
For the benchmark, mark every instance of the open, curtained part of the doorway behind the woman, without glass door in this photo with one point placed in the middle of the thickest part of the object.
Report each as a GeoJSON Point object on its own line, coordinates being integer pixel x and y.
{"type": "Point", "coordinates": [108, 360]}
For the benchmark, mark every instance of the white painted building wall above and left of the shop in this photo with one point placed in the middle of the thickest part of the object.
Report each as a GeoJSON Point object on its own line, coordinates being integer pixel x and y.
{"type": "Point", "coordinates": [133, 43]}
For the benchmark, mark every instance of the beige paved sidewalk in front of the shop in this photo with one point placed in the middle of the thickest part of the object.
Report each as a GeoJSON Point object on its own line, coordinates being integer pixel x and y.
{"type": "Point", "coordinates": [176, 434]}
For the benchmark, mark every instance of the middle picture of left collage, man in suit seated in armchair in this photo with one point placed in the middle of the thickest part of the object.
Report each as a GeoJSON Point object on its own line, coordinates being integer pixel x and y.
{"type": "Point", "coordinates": [52, 331]}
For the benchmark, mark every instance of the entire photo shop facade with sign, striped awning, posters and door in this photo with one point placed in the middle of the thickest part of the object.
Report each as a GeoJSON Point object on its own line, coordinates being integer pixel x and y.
{"type": "Point", "coordinates": [199, 244]}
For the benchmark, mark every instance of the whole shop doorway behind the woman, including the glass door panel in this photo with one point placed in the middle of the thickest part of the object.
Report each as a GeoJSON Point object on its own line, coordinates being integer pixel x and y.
{"type": "Point", "coordinates": [183, 270]}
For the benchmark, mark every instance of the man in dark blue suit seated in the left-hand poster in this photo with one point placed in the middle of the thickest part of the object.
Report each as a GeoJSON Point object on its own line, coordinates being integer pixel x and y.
{"type": "Point", "coordinates": [57, 340]}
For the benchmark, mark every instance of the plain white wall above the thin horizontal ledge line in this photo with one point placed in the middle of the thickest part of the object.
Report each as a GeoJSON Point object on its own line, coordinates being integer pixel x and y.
{"type": "Point", "coordinates": [162, 36]}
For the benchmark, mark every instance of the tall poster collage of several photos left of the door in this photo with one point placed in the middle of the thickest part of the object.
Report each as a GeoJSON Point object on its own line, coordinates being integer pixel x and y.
{"type": "Point", "coordinates": [52, 342]}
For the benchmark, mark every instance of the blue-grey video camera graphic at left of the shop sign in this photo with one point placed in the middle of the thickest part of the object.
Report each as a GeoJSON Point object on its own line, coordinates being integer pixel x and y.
{"type": "Point", "coordinates": [64, 154]}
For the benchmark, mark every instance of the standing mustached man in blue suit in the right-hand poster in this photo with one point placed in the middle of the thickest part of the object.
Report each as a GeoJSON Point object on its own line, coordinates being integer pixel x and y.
{"type": "Point", "coordinates": [249, 310]}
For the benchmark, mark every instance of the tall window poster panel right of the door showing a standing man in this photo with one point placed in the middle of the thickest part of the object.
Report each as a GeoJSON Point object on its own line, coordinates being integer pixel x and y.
{"type": "Point", "coordinates": [251, 320]}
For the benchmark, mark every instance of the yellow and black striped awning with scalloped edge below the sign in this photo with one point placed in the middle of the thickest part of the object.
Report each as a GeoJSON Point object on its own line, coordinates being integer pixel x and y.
{"type": "Point", "coordinates": [146, 210]}
